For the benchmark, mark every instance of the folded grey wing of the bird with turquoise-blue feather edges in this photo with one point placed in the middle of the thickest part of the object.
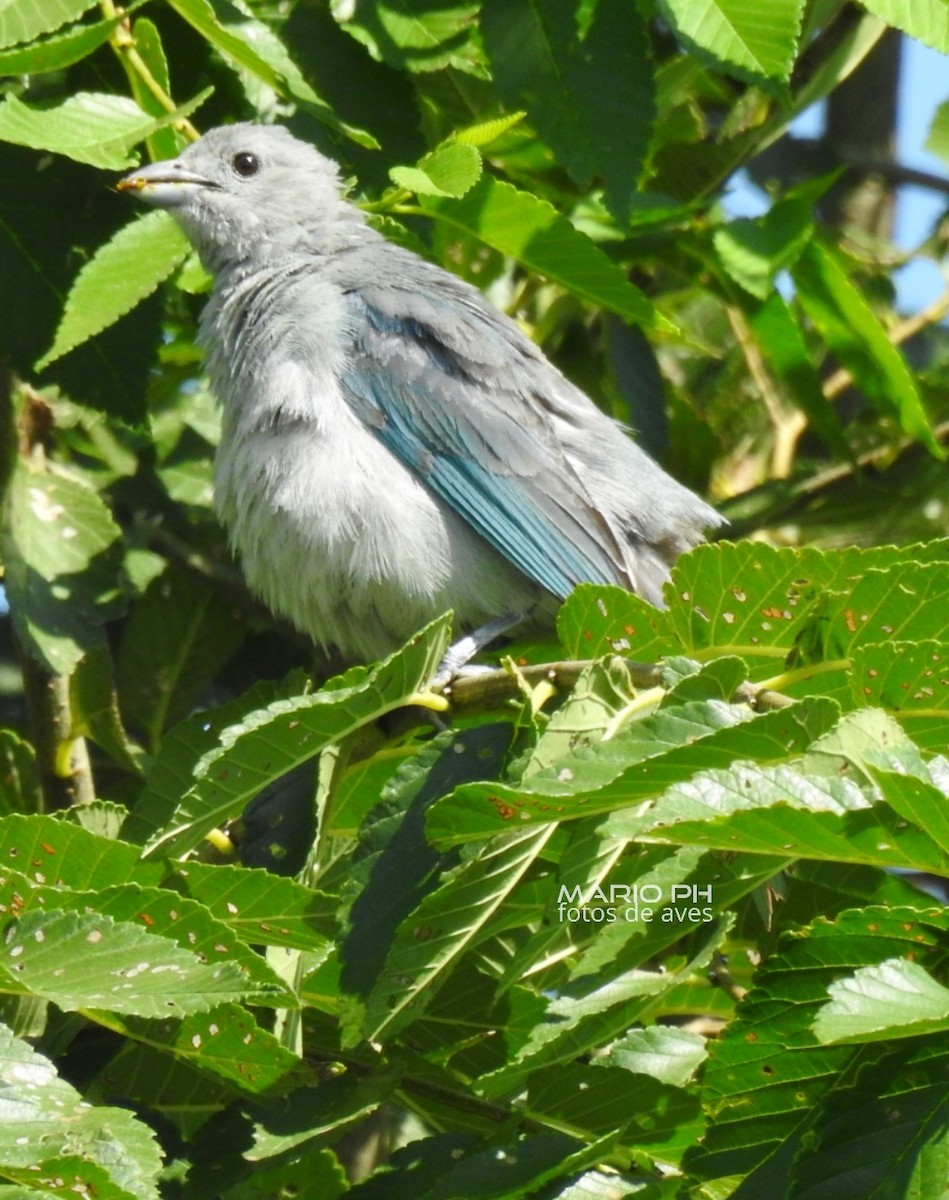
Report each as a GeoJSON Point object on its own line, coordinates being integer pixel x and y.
{"type": "Point", "coordinates": [459, 395]}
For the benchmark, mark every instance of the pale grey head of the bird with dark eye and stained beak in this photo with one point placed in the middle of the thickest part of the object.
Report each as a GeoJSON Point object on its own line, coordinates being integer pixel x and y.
{"type": "Point", "coordinates": [244, 190]}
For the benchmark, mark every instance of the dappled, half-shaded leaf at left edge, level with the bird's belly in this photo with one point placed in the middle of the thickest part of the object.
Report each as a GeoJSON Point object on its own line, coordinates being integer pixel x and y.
{"type": "Point", "coordinates": [63, 560]}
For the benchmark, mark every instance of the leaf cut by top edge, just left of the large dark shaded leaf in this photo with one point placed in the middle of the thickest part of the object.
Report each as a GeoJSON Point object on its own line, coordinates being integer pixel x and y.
{"type": "Point", "coordinates": [411, 35]}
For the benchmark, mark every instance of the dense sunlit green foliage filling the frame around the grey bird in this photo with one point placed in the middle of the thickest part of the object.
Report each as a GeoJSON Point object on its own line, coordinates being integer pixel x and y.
{"type": "Point", "coordinates": [638, 923]}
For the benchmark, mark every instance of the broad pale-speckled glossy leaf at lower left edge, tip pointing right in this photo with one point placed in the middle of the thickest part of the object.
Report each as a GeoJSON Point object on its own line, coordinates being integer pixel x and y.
{"type": "Point", "coordinates": [88, 961]}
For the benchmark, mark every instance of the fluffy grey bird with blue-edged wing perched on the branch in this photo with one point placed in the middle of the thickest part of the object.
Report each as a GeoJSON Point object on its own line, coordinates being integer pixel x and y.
{"type": "Point", "coordinates": [393, 446]}
